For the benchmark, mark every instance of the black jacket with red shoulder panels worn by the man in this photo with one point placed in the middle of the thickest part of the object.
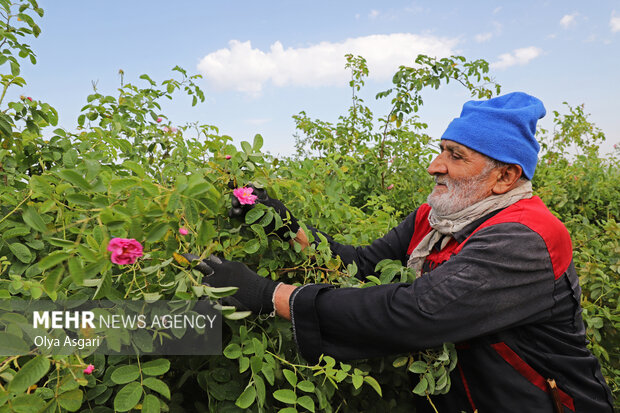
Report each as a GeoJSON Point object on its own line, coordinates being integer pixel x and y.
{"type": "Point", "coordinates": [505, 291]}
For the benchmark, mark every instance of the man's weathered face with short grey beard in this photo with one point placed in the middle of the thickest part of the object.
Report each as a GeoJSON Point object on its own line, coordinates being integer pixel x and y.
{"type": "Point", "coordinates": [462, 176]}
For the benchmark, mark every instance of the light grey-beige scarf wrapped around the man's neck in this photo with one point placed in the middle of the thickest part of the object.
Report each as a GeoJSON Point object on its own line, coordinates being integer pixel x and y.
{"type": "Point", "coordinates": [451, 224]}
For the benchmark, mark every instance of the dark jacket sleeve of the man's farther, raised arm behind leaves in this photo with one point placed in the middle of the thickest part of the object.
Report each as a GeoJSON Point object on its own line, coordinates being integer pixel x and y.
{"type": "Point", "coordinates": [392, 245]}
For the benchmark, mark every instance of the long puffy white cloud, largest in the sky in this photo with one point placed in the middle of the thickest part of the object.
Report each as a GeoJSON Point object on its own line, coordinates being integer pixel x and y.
{"type": "Point", "coordinates": [246, 69]}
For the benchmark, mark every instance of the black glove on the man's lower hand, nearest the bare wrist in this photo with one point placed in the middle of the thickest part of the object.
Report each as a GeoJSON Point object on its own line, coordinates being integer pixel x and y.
{"type": "Point", "coordinates": [255, 293]}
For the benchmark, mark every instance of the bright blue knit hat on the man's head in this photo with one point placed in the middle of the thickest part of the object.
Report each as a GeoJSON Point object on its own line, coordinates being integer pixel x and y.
{"type": "Point", "coordinates": [501, 128]}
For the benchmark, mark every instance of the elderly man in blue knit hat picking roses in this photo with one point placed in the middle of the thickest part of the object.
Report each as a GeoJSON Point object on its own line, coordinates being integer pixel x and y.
{"type": "Point", "coordinates": [496, 278]}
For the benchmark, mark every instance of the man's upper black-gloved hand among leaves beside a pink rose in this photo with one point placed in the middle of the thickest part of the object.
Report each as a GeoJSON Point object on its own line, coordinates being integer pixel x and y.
{"type": "Point", "coordinates": [239, 210]}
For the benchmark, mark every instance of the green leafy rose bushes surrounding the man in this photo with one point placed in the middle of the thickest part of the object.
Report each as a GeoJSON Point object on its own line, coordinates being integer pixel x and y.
{"type": "Point", "coordinates": [127, 172]}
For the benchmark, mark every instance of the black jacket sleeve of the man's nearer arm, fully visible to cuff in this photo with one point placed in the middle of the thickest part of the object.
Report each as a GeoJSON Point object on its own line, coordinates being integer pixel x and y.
{"type": "Point", "coordinates": [501, 278]}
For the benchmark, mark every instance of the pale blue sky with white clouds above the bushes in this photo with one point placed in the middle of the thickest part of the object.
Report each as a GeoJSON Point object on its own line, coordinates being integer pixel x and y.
{"type": "Point", "coordinates": [264, 61]}
